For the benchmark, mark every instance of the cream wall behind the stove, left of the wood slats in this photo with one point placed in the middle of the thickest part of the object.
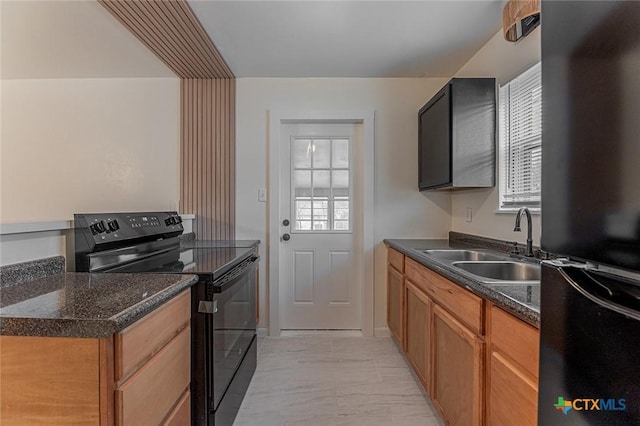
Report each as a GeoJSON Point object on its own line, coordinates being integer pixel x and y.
{"type": "Point", "coordinates": [87, 145]}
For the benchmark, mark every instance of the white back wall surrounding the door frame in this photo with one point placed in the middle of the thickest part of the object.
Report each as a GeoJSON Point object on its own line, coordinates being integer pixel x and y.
{"type": "Point", "coordinates": [400, 210]}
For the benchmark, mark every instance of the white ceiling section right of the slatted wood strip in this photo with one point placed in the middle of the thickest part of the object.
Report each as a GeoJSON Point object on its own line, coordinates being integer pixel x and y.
{"type": "Point", "coordinates": [426, 38]}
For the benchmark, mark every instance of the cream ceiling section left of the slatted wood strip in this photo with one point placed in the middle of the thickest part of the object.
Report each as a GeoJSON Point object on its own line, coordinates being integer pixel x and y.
{"type": "Point", "coordinates": [70, 39]}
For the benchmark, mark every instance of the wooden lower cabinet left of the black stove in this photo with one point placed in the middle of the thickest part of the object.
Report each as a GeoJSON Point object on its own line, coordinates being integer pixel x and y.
{"type": "Point", "coordinates": [72, 381]}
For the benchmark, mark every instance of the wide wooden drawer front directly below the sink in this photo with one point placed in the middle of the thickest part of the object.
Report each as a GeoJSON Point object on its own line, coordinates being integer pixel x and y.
{"type": "Point", "coordinates": [466, 306]}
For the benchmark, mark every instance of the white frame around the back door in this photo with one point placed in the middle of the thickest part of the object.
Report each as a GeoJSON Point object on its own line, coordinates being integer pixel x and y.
{"type": "Point", "coordinates": [276, 119]}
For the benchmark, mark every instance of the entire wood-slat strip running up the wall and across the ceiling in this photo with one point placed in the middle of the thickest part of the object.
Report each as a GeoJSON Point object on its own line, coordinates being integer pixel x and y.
{"type": "Point", "coordinates": [170, 29]}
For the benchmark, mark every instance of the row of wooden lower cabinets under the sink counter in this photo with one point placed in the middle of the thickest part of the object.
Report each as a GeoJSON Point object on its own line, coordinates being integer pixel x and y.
{"type": "Point", "coordinates": [478, 362]}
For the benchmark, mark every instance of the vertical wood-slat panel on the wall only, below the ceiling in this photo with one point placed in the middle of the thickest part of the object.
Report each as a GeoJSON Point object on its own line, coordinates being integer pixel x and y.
{"type": "Point", "coordinates": [208, 156]}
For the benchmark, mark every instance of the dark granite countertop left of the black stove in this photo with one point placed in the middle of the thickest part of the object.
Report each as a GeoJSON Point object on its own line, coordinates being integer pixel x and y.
{"type": "Point", "coordinates": [83, 304]}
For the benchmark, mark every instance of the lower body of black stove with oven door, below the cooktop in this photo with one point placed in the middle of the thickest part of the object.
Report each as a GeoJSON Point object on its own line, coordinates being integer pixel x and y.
{"type": "Point", "coordinates": [223, 328]}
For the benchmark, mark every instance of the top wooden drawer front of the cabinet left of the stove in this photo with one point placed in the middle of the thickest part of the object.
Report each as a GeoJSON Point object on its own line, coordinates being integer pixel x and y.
{"type": "Point", "coordinates": [138, 342]}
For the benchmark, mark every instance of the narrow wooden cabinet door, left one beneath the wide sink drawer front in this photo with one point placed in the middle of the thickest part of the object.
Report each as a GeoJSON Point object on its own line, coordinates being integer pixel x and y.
{"type": "Point", "coordinates": [418, 333]}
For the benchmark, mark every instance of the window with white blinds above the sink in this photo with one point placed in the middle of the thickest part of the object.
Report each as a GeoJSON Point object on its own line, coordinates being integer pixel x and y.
{"type": "Point", "coordinates": [520, 117]}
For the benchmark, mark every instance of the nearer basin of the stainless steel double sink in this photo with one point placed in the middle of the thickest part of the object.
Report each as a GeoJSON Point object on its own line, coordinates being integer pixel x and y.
{"type": "Point", "coordinates": [502, 271]}
